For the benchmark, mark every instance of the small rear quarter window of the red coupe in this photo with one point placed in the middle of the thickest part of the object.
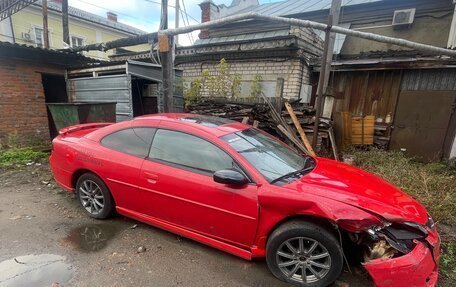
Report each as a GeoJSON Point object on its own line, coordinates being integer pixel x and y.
{"type": "Point", "coordinates": [134, 141]}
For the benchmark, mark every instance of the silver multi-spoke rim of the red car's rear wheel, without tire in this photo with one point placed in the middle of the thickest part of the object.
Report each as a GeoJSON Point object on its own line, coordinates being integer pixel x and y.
{"type": "Point", "coordinates": [91, 197]}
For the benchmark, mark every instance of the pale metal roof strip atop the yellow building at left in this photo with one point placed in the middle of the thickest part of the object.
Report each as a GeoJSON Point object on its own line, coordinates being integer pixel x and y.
{"type": "Point", "coordinates": [78, 13]}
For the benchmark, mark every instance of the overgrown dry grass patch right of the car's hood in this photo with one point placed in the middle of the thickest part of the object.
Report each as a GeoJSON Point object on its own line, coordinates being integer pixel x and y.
{"type": "Point", "coordinates": [432, 184]}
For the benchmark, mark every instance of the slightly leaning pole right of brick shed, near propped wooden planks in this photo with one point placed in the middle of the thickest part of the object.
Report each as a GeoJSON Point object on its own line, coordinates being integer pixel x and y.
{"type": "Point", "coordinates": [330, 38]}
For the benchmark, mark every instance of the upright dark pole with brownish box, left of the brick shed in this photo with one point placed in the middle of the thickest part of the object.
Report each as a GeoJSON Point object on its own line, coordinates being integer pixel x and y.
{"type": "Point", "coordinates": [166, 48]}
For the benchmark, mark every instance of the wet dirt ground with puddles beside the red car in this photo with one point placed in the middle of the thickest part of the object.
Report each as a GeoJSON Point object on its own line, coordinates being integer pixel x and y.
{"type": "Point", "coordinates": [47, 240]}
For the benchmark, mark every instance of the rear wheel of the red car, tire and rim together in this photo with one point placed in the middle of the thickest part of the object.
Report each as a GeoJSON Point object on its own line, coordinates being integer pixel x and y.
{"type": "Point", "coordinates": [94, 196]}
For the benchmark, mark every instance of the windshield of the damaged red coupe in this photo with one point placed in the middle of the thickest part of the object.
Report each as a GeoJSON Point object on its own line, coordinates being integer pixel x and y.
{"type": "Point", "coordinates": [270, 157]}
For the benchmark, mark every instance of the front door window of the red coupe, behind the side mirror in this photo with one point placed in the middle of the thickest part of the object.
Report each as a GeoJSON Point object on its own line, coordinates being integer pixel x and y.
{"type": "Point", "coordinates": [189, 151]}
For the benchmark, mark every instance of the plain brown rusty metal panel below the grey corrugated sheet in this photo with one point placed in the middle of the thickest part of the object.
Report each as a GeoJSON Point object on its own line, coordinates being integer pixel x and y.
{"type": "Point", "coordinates": [421, 122]}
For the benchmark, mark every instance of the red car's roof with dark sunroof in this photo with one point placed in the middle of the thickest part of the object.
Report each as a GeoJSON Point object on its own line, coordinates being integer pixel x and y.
{"type": "Point", "coordinates": [210, 124]}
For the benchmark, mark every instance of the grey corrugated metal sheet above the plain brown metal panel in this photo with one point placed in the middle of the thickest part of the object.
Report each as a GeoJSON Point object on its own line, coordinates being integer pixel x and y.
{"type": "Point", "coordinates": [429, 80]}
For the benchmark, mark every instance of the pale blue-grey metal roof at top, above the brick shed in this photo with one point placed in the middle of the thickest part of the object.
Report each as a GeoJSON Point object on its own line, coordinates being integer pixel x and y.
{"type": "Point", "coordinates": [291, 7]}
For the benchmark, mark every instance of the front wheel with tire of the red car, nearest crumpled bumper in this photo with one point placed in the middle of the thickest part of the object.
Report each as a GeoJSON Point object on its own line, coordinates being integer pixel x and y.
{"type": "Point", "coordinates": [287, 264]}
